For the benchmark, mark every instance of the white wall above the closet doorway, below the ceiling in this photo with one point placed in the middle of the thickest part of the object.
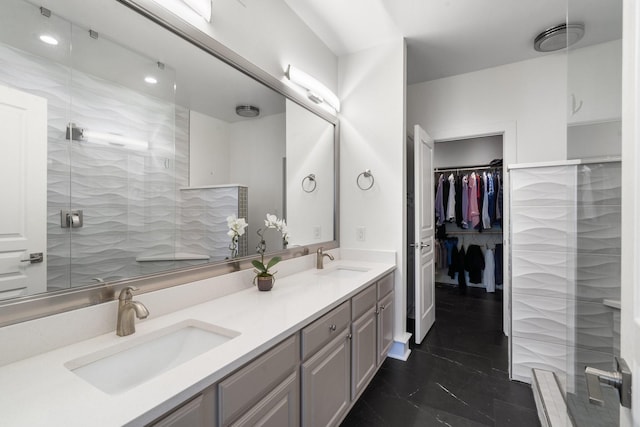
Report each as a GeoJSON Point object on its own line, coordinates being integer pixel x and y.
{"type": "Point", "coordinates": [530, 93]}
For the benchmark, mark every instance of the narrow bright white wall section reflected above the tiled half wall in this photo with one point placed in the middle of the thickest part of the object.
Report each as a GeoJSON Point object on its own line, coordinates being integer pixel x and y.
{"type": "Point", "coordinates": [208, 150]}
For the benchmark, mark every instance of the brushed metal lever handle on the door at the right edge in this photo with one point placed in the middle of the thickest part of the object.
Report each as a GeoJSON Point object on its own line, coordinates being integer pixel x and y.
{"type": "Point", "coordinates": [620, 379]}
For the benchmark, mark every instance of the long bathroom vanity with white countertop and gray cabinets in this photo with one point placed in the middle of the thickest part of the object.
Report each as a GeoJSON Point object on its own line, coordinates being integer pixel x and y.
{"type": "Point", "coordinates": [300, 354]}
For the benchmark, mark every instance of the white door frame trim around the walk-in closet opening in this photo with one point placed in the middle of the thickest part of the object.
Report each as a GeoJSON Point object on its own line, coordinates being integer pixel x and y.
{"type": "Point", "coordinates": [509, 154]}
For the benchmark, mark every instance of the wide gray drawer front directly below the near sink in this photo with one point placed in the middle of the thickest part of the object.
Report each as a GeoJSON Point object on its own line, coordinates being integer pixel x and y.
{"type": "Point", "coordinates": [243, 389]}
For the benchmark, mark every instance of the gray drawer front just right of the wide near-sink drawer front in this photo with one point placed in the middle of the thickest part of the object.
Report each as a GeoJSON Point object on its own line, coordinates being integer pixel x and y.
{"type": "Point", "coordinates": [325, 328]}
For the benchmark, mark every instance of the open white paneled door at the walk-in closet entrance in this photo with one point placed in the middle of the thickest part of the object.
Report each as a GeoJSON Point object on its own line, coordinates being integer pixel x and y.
{"type": "Point", "coordinates": [425, 310]}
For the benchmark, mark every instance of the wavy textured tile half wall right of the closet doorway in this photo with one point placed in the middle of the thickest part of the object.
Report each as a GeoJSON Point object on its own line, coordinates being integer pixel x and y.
{"type": "Point", "coordinates": [565, 261]}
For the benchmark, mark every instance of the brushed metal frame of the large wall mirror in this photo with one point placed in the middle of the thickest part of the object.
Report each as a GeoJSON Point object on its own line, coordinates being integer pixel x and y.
{"type": "Point", "coordinates": [41, 305]}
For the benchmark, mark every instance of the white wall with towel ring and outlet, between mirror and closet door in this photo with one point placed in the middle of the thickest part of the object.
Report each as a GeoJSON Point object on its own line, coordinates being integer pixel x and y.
{"type": "Point", "coordinates": [372, 136]}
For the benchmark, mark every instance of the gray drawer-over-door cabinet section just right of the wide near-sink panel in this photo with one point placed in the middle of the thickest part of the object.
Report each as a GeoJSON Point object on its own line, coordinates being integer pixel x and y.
{"type": "Point", "coordinates": [326, 385]}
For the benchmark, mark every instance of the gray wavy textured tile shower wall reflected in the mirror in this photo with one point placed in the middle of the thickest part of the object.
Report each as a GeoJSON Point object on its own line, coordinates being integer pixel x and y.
{"type": "Point", "coordinates": [130, 198]}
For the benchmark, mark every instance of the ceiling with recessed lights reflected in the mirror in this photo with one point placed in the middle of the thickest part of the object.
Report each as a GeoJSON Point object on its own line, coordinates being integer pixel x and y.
{"type": "Point", "coordinates": [128, 48]}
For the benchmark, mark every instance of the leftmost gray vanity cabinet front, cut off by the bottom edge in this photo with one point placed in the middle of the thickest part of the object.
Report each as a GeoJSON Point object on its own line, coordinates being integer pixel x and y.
{"type": "Point", "coordinates": [198, 412]}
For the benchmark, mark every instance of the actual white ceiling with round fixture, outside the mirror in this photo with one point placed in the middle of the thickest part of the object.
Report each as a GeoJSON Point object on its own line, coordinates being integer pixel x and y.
{"type": "Point", "coordinates": [450, 37]}
